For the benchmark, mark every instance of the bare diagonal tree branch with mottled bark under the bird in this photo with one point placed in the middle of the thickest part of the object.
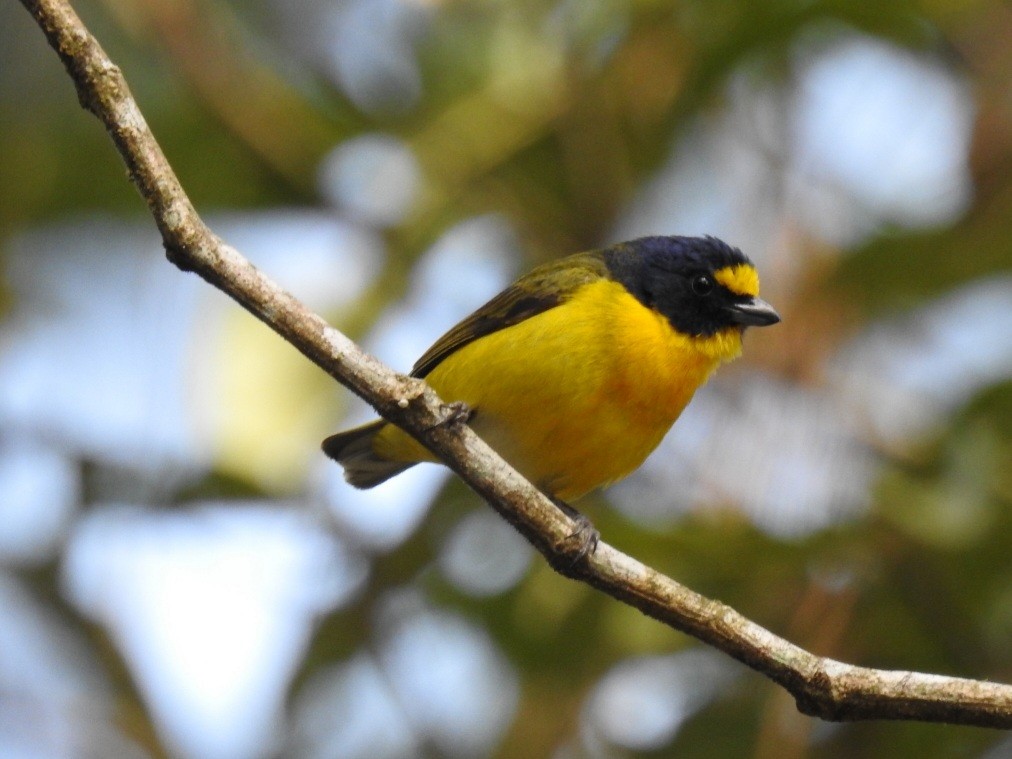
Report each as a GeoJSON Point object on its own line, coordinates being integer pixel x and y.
{"type": "Point", "coordinates": [822, 688]}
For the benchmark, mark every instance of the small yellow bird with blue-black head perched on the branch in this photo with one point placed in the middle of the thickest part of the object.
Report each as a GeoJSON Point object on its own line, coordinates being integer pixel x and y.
{"type": "Point", "coordinates": [576, 372]}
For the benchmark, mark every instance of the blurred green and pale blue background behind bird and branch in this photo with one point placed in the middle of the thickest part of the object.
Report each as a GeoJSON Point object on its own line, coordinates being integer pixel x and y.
{"type": "Point", "coordinates": [184, 574]}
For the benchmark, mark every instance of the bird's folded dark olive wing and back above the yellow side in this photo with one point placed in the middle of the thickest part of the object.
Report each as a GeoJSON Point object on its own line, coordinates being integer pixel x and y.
{"type": "Point", "coordinates": [545, 288]}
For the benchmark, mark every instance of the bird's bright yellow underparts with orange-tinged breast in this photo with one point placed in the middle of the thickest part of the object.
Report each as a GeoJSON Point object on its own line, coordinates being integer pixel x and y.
{"type": "Point", "coordinates": [578, 396]}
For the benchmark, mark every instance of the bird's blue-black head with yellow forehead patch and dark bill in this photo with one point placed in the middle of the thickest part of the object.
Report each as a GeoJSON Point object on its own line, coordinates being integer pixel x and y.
{"type": "Point", "coordinates": [702, 285]}
